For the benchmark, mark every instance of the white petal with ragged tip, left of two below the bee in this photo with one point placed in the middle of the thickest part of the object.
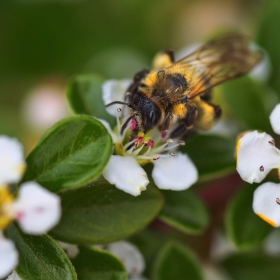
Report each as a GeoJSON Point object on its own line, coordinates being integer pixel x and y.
{"type": "Point", "coordinates": [126, 174]}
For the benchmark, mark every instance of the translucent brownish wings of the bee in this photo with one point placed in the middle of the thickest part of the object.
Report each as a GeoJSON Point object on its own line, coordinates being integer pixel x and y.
{"type": "Point", "coordinates": [217, 61]}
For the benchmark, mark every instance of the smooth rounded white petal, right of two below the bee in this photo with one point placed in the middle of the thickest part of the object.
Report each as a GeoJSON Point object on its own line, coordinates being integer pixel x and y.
{"type": "Point", "coordinates": [174, 173]}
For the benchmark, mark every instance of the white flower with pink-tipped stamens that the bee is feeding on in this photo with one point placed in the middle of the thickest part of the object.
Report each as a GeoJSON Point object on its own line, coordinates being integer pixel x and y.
{"type": "Point", "coordinates": [171, 171]}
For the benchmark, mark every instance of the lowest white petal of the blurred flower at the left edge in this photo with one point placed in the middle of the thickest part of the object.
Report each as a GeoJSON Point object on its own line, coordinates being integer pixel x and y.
{"type": "Point", "coordinates": [8, 256]}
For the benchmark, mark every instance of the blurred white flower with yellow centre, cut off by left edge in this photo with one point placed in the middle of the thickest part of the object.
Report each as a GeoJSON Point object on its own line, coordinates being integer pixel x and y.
{"type": "Point", "coordinates": [35, 209]}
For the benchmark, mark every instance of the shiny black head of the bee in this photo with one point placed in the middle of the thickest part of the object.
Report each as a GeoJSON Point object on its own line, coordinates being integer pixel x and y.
{"type": "Point", "coordinates": [146, 113]}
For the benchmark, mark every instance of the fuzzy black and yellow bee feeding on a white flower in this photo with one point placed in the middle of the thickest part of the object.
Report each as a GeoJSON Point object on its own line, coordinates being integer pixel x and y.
{"type": "Point", "coordinates": [178, 94]}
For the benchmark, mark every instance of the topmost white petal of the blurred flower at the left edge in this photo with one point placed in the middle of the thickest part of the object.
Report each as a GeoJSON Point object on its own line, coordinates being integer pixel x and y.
{"type": "Point", "coordinates": [12, 162]}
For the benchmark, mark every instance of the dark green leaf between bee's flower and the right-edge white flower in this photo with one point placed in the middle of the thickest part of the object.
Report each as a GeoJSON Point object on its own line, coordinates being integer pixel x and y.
{"type": "Point", "coordinates": [213, 155]}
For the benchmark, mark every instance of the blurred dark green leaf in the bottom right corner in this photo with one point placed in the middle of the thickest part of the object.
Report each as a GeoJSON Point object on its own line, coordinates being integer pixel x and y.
{"type": "Point", "coordinates": [252, 266]}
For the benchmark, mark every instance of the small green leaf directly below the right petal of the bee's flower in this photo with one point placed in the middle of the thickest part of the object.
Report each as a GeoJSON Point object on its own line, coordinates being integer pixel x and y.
{"type": "Point", "coordinates": [185, 211]}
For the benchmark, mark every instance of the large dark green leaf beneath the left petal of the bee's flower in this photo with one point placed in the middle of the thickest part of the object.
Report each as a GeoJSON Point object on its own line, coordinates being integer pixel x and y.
{"type": "Point", "coordinates": [100, 213]}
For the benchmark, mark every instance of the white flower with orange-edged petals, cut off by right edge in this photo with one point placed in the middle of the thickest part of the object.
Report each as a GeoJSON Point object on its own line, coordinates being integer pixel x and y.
{"type": "Point", "coordinates": [256, 157]}
